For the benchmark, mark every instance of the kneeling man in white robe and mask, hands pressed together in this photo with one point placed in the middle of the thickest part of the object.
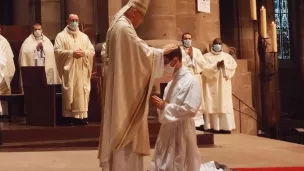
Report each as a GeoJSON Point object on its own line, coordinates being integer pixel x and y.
{"type": "Point", "coordinates": [176, 146]}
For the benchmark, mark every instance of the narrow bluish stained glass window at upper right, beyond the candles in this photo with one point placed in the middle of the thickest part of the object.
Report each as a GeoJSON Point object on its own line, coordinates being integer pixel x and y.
{"type": "Point", "coordinates": [282, 21]}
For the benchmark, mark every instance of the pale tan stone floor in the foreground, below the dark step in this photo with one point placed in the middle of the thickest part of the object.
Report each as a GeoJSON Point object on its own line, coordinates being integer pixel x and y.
{"type": "Point", "coordinates": [237, 151]}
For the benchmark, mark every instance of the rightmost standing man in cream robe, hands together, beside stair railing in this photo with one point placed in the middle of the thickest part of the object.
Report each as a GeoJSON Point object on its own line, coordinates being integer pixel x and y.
{"type": "Point", "coordinates": [218, 69]}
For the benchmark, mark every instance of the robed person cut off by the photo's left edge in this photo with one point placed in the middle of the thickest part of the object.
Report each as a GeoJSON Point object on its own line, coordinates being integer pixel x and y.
{"type": "Point", "coordinates": [7, 70]}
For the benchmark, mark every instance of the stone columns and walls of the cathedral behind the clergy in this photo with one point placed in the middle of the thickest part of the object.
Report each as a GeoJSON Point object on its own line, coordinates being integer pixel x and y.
{"type": "Point", "coordinates": [268, 87]}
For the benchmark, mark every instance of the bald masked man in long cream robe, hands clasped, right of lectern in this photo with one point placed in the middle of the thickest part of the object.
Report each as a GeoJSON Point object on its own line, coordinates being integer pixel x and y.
{"type": "Point", "coordinates": [74, 57]}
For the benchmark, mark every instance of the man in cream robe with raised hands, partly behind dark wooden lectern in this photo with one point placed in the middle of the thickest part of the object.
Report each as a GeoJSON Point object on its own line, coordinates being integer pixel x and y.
{"type": "Point", "coordinates": [38, 50]}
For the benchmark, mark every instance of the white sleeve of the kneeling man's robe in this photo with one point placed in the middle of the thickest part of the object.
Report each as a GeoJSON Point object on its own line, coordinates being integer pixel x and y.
{"type": "Point", "coordinates": [191, 97]}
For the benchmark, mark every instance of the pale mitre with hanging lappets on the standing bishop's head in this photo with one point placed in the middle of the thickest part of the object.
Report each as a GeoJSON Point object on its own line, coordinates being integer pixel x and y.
{"type": "Point", "coordinates": [141, 5]}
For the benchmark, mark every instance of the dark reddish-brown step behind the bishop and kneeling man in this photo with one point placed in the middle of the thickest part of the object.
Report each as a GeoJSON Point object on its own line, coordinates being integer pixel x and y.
{"type": "Point", "coordinates": [23, 136]}
